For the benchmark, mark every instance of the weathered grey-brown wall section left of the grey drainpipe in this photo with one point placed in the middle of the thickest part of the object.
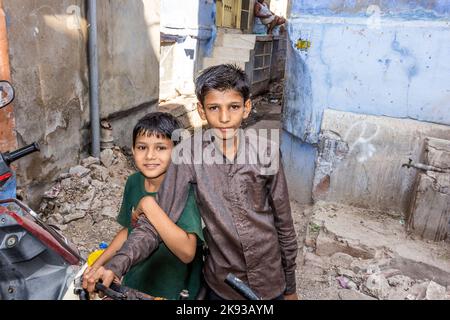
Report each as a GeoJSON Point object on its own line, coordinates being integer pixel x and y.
{"type": "Point", "coordinates": [49, 73]}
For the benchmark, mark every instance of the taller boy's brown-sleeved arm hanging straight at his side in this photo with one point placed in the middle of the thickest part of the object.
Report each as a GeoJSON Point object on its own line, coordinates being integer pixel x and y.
{"type": "Point", "coordinates": [284, 224]}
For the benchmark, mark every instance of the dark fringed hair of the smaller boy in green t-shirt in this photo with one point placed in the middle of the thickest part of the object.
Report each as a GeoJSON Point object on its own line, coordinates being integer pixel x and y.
{"type": "Point", "coordinates": [159, 124]}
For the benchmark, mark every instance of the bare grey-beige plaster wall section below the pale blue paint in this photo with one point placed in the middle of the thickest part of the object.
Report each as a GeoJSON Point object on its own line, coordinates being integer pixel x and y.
{"type": "Point", "coordinates": [360, 159]}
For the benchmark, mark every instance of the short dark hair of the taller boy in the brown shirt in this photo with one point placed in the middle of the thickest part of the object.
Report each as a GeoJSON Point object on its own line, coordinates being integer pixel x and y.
{"type": "Point", "coordinates": [222, 77]}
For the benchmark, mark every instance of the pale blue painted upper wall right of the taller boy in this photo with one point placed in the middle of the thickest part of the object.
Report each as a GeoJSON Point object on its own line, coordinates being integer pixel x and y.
{"type": "Point", "coordinates": [385, 58]}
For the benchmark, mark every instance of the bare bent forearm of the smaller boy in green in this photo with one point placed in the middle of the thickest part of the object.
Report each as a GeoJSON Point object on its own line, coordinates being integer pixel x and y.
{"type": "Point", "coordinates": [181, 243]}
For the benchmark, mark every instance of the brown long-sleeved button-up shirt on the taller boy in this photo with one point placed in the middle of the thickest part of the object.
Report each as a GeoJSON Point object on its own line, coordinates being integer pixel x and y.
{"type": "Point", "coordinates": [245, 206]}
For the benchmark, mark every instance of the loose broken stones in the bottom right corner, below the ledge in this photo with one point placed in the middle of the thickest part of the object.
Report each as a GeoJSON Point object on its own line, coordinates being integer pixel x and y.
{"type": "Point", "coordinates": [366, 279]}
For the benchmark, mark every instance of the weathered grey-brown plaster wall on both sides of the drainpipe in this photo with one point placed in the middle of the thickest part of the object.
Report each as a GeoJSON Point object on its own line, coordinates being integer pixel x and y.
{"type": "Point", "coordinates": [48, 52]}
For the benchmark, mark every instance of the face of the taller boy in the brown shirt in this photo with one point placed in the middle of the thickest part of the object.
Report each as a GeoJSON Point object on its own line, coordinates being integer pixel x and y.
{"type": "Point", "coordinates": [224, 111]}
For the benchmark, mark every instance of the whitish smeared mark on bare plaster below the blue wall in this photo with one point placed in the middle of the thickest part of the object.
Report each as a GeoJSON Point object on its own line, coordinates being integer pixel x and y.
{"type": "Point", "coordinates": [362, 133]}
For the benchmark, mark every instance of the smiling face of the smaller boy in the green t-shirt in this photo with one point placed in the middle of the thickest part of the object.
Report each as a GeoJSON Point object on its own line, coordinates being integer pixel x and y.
{"type": "Point", "coordinates": [152, 155]}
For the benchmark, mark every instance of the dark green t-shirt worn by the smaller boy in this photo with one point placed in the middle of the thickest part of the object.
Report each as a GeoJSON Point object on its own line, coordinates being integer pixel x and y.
{"type": "Point", "coordinates": [162, 274]}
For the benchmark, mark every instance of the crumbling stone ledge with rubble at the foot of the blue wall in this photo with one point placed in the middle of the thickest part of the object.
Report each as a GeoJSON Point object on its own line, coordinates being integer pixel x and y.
{"type": "Point", "coordinates": [334, 265]}
